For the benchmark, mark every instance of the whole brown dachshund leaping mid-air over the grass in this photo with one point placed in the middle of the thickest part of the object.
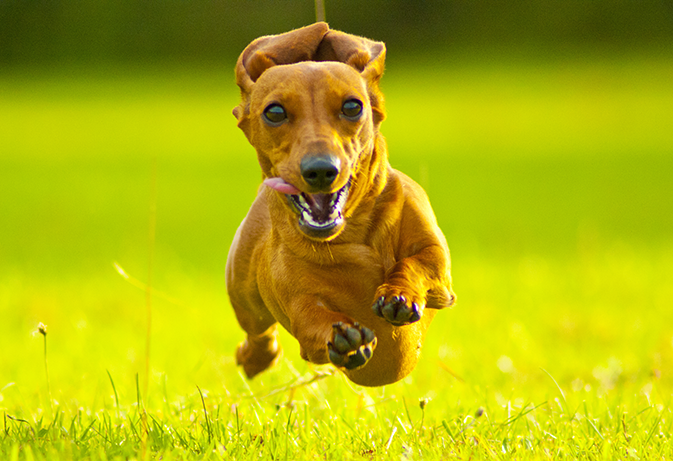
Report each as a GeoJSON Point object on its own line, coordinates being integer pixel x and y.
{"type": "Point", "coordinates": [339, 248]}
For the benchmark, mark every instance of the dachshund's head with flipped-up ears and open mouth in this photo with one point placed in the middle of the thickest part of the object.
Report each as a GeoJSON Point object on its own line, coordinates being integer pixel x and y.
{"type": "Point", "coordinates": [311, 107]}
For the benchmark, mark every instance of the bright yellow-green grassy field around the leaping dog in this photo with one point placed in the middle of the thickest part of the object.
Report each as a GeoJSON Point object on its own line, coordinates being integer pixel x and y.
{"type": "Point", "coordinates": [550, 179]}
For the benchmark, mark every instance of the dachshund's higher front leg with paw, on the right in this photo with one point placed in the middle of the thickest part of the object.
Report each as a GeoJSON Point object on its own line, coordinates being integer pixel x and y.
{"type": "Point", "coordinates": [414, 283]}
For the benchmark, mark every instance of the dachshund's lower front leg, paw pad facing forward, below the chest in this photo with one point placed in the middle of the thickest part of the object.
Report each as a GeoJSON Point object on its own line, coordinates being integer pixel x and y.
{"type": "Point", "coordinates": [328, 336]}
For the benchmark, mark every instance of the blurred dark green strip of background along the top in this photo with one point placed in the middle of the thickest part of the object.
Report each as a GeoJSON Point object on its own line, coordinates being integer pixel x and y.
{"type": "Point", "coordinates": [215, 30]}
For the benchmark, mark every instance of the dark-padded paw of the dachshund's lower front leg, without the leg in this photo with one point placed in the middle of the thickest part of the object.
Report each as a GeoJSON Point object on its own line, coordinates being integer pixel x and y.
{"type": "Point", "coordinates": [351, 346]}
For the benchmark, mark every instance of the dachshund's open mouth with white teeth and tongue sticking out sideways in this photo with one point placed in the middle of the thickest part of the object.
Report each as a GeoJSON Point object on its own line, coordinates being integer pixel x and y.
{"type": "Point", "coordinates": [320, 215]}
